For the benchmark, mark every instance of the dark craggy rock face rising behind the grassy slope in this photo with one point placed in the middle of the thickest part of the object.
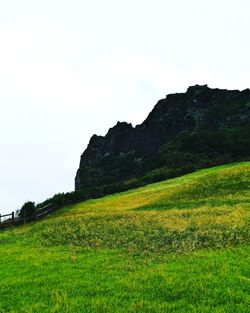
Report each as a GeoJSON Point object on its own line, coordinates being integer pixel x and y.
{"type": "Point", "coordinates": [201, 127]}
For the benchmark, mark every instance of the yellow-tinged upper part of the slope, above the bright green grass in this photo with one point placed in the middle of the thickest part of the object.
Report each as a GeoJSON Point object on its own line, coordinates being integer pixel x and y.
{"type": "Point", "coordinates": [210, 208]}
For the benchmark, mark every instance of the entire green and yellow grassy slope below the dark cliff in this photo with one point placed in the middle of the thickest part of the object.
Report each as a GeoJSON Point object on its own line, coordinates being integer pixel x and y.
{"type": "Point", "coordinates": [152, 249]}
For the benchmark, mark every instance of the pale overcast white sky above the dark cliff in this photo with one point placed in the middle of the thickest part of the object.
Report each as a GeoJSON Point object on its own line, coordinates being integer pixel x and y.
{"type": "Point", "coordinates": [71, 69]}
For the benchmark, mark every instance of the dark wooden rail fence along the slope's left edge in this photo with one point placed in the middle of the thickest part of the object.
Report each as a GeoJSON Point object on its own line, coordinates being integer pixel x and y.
{"type": "Point", "coordinates": [8, 220]}
